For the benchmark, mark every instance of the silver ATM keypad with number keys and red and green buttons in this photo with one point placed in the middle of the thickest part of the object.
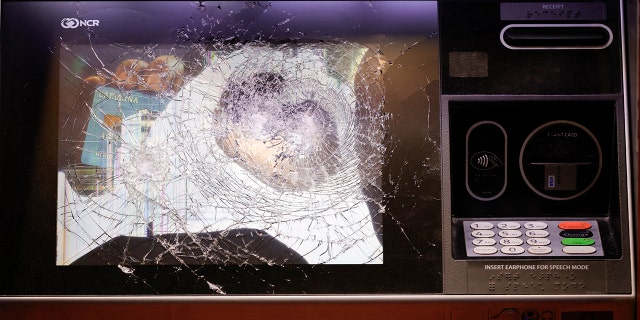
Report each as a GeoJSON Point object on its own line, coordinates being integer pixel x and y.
{"type": "Point", "coordinates": [514, 238]}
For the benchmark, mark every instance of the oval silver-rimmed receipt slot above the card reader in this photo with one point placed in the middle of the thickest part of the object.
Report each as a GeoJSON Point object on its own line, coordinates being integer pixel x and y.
{"type": "Point", "coordinates": [536, 36]}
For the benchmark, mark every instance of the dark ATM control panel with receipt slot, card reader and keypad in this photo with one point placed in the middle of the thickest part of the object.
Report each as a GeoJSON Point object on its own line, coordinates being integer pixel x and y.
{"type": "Point", "coordinates": [535, 183]}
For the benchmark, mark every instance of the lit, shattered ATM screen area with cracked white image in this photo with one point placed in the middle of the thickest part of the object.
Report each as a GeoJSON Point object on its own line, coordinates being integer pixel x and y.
{"type": "Point", "coordinates": [275, 141]}
